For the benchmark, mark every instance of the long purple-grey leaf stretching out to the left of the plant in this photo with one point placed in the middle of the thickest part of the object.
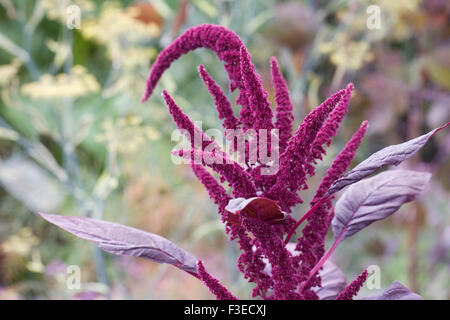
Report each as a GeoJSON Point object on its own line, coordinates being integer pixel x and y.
{"type": "Point", "coordinates": [126, 241]}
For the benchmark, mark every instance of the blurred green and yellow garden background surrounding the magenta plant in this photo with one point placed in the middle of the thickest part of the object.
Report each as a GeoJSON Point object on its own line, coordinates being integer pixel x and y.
{"type": "Point", "coordinates": [75, 140]}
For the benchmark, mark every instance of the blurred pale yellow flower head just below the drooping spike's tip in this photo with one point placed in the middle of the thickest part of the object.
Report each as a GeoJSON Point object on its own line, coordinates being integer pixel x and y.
{"type": "Point", "coordinates": [126, 135]}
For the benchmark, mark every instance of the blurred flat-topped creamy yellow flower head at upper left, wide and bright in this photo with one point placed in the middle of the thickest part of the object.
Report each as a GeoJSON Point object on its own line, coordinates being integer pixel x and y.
{"type": "Point", "coordinates": [74, 85]}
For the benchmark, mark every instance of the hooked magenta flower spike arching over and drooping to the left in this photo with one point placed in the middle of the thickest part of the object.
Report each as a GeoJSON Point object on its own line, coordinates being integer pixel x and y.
{"type": "Point", "coordinates": [225, 43]}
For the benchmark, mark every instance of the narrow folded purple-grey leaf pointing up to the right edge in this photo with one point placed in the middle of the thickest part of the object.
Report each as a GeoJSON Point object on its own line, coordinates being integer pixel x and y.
{"type": "Point", "coordinates": [392, 155]}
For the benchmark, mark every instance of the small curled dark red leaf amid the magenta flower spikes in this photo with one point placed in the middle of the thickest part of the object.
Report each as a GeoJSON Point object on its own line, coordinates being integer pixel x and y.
{"type": "Point", "coordinates": [259, 208]}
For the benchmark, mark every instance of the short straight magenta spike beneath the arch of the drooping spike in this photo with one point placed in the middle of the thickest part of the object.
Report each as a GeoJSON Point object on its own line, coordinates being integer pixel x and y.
{"type": "Point", "coordinates": [223, 106]}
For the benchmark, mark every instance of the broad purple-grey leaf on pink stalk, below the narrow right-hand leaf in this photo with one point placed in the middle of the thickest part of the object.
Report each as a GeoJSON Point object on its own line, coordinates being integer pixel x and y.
{"type": "Point", "coordinates": [374, 199]}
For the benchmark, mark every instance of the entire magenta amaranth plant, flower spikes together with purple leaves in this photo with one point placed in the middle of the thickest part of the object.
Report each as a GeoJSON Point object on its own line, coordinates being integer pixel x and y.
{"type": "Point", "coordinates": [254, 204]}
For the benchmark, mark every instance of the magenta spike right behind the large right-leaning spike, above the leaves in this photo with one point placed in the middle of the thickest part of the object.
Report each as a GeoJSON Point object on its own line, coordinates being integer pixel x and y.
{"type": "Point", "coordinates": [329, 129]}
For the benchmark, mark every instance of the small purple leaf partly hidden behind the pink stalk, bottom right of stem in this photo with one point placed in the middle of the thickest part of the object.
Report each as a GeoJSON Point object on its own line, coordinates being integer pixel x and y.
{"type": "Point", "coordinates": [333, 281]}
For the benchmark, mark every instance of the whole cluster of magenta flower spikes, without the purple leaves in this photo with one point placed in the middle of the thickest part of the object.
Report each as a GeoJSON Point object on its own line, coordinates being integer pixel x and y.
{"type": "Point", "coordinates": [263, 244]}
